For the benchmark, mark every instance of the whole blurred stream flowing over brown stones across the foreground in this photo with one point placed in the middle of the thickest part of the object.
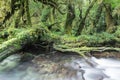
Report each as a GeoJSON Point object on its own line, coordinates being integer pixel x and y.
{"type": "Point", "coordinates": [63, 67]}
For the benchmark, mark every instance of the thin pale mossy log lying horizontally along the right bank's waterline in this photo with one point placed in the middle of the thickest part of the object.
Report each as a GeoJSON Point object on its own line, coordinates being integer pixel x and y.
{"type": "Point", "coordinates": [85, 50]}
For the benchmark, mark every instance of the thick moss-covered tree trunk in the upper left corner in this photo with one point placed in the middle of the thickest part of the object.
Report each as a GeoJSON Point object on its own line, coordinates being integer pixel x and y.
{"type": "Point", "coordinates": [18, 14]}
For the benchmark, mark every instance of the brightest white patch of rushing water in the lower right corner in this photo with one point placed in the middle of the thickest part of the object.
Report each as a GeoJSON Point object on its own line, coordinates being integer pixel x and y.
{"type": "Point", "coordinates": [110, 67]}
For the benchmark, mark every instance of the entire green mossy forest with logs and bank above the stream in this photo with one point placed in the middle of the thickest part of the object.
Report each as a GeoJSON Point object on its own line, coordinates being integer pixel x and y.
{"type": "Point", "coordinates": [79, 26]}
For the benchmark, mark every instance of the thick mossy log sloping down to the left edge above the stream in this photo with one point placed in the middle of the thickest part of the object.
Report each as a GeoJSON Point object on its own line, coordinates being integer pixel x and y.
{"type": "Point", "coordinates": [15, 44]}
